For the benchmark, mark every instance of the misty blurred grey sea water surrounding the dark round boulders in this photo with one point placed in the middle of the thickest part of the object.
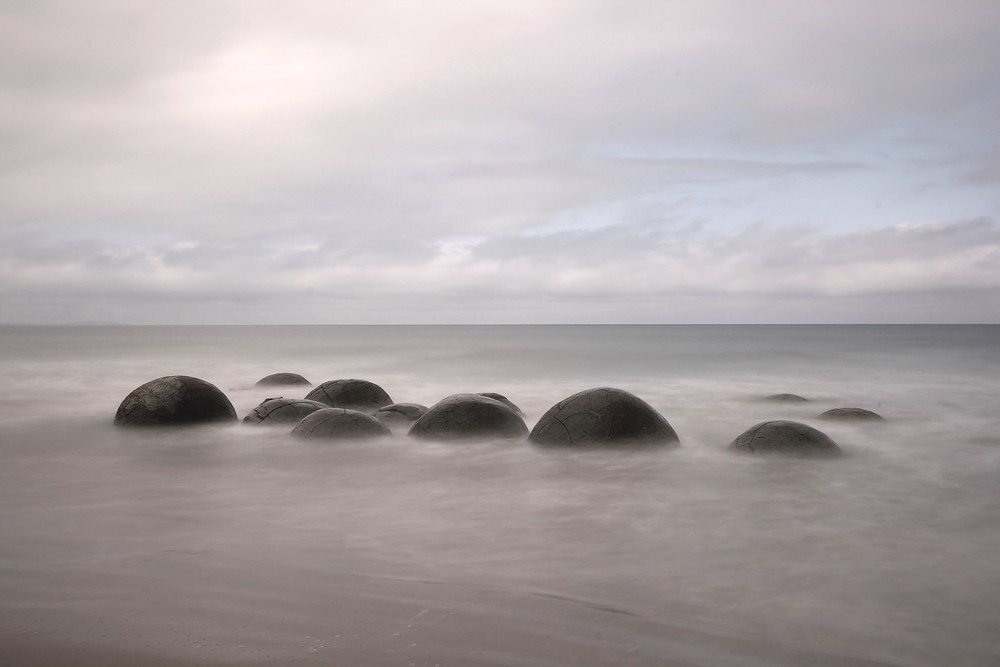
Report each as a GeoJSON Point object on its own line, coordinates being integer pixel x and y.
{"type": "Point", "coordinates": [237, 544]}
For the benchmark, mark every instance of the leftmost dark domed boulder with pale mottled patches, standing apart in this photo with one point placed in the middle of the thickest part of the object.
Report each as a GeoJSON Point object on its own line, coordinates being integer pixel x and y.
{"type": "Point", "coordinates": [175, 400]}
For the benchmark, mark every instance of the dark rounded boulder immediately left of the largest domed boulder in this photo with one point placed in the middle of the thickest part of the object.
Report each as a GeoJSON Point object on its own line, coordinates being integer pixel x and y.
{"type": "Point", "coordinates": [467, 417]}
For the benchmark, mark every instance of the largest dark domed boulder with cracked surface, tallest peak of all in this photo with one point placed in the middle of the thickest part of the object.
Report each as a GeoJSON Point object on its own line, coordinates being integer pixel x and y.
{"type": "Point", "coordinates": [602, 417]}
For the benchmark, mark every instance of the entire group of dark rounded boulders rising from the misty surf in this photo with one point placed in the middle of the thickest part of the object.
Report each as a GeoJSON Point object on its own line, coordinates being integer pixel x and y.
{"type": "Point", "coordinates": [350, 409]}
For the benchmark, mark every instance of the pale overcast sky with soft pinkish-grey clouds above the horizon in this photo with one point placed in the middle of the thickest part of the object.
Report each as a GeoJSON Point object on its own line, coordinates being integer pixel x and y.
{"type": "Point", "coordinates": [508, 161]}
